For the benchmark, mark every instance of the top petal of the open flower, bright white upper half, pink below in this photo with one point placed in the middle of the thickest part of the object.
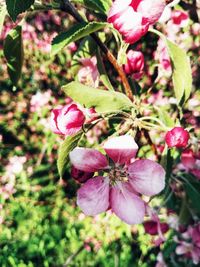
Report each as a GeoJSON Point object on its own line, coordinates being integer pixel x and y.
{"type": "Point", "coordinates": [121, 149]}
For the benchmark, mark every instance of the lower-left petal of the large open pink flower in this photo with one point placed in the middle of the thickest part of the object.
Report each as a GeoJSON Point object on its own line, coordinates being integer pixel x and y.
{"type": "Point", "coordinates": [93, 196]}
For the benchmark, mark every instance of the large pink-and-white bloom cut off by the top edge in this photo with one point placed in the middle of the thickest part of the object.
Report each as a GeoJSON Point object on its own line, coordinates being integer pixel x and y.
{"type": "Point", "coordinates": [132, 18]}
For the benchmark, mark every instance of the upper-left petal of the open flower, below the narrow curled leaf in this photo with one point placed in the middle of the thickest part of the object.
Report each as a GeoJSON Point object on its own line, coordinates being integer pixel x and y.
{"type": "Point", "coordinates": [88, 159]}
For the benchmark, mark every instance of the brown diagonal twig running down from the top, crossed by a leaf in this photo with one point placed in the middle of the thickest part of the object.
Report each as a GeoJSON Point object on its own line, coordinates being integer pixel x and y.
{"type": "Point", "coordinates": [69, 8]}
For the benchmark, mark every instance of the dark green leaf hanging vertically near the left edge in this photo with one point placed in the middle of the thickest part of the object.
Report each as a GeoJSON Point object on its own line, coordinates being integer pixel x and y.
{"type": "Point", "coordinates": [13, 51]}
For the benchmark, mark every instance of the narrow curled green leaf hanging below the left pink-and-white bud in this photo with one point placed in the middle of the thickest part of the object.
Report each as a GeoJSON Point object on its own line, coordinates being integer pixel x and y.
{"type": "Point", "coordinates": [63, 153]}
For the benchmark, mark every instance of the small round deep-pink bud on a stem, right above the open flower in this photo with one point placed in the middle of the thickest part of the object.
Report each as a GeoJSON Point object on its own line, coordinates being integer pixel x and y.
{"type": "Point", "coordinates": [177, 137]}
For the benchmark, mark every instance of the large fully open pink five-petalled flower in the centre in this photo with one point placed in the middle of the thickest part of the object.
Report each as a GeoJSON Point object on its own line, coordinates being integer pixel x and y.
{"type": "Point", "coordinates": [123, 182]}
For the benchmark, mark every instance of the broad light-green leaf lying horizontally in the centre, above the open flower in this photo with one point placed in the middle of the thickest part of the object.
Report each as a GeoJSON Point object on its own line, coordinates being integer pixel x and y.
{"type": "Point", "coordinates": [101, 100]}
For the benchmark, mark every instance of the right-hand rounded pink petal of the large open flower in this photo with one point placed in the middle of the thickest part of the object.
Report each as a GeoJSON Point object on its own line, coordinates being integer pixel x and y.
{"type": "Point", "coordinates": [146, 177]}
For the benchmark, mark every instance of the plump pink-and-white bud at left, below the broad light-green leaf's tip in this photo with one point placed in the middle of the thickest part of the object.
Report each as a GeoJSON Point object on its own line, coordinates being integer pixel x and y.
{"type": "Point", "coordinates": [66, 120]}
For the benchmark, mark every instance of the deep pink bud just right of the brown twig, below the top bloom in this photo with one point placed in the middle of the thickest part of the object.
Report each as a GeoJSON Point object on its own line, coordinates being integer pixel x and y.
{"type": "Point", "coordinates": [135, 63]}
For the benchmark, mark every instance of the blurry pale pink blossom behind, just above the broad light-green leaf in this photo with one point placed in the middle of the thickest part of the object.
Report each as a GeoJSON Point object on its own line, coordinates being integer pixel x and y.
{"type": "Point", "coordinates": [88, 74]}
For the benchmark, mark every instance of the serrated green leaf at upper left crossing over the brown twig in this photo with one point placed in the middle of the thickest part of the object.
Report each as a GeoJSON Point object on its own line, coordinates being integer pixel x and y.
{"type": "Point", "coordinates": [75, 33]}
